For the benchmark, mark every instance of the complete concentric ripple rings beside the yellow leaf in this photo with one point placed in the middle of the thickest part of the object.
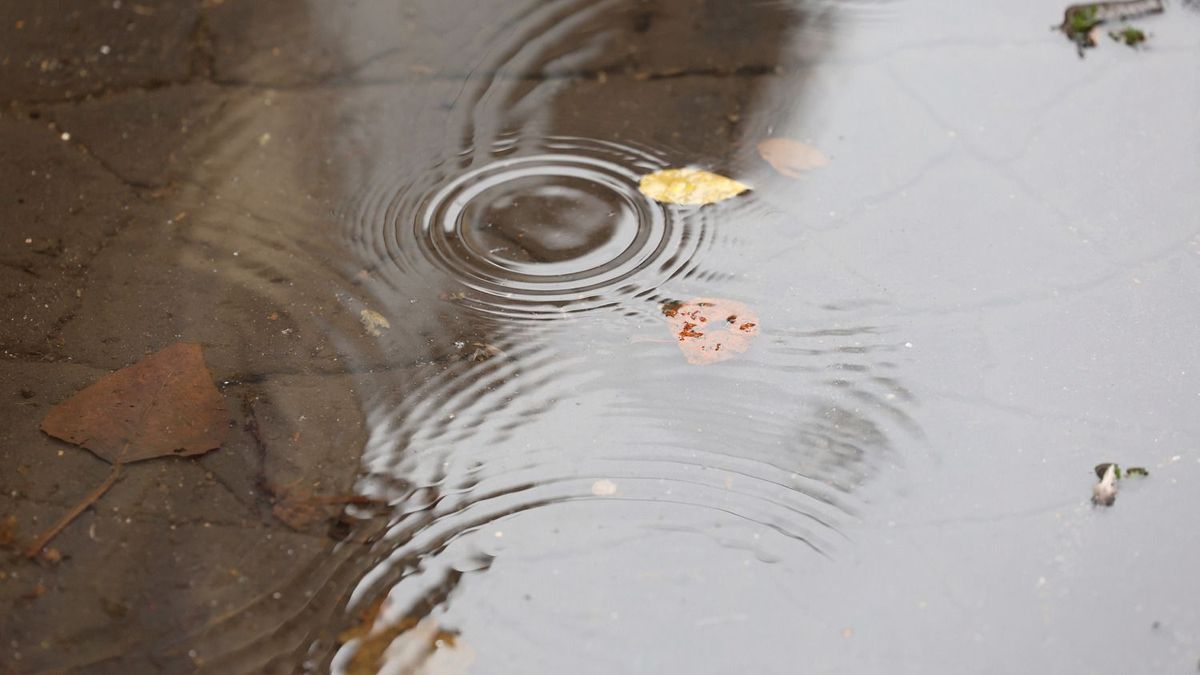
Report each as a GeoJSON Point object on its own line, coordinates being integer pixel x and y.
{"type": "Point", "coordinates": [560, 231]}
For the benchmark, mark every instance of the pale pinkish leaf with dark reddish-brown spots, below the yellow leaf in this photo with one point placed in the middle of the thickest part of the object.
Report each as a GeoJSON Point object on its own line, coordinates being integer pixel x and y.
{"type": "Point", "coordinates": [712, 330]}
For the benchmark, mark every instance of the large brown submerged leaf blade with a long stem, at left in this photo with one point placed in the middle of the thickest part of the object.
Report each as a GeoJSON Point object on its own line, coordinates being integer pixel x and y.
{"type": "Point", "coordinates": [164, 405]}
